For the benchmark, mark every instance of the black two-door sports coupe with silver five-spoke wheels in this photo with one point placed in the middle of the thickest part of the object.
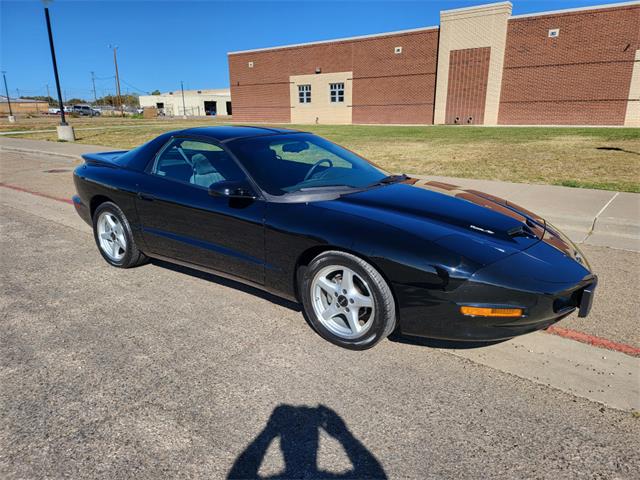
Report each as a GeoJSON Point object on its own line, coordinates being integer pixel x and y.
{"type": "Point", "coordinates": [365, 252]}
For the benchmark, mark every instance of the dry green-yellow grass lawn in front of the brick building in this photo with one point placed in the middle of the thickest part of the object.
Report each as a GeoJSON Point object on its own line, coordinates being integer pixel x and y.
{"type": "Point", "coordinates": [601, 158]}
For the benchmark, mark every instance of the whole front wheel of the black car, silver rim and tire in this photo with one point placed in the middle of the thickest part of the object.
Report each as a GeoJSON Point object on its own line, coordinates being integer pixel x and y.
{"type": "Point", "coordinates": [347, 301]}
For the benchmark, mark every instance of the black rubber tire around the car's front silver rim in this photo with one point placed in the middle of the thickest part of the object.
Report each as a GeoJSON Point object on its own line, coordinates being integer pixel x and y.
{"type": "Point", "coordinates": [384, 316]}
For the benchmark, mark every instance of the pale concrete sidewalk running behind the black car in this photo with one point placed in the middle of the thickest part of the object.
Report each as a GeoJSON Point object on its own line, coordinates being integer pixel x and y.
{"type": "Point", "coordinates": [594, 217]}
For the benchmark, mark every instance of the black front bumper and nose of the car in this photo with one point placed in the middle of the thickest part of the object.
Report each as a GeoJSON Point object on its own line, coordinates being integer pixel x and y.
{"type": "Point", "coordinates": [546, 283]}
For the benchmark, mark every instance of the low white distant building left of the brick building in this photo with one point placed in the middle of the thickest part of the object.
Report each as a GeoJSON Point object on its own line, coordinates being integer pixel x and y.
{"type": "Point", "coordinates": [197, 103]}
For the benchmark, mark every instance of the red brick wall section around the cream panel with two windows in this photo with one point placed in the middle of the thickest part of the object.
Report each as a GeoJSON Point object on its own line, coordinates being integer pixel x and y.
{"type": "Point", "coordinates": [387, 88]}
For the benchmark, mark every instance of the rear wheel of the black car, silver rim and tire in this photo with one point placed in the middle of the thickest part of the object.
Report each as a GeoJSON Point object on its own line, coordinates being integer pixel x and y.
{"type": "Point", "coordinates": [113, 237]}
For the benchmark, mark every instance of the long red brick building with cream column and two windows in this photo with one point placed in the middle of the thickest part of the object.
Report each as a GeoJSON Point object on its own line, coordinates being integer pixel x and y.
{"type": "Point", "coordinates": [481, 65]}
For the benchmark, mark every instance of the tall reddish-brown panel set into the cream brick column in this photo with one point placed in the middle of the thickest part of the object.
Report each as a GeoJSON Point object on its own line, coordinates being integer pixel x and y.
{"type": "Point", "coordinates": [467, 85]}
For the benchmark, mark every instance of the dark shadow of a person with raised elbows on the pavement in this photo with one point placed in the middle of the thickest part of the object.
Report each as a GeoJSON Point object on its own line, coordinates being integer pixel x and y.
{"type": "Point", "coordinates": [298, 429]}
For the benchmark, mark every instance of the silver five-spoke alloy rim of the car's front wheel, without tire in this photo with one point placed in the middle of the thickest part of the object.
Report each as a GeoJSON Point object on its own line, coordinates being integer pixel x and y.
{"type": "Point", "coordinates": [342, 301]}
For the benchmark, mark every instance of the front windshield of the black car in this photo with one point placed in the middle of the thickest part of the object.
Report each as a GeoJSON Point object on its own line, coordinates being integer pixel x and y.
{"type": "Point", "coordinates": [283, 164]}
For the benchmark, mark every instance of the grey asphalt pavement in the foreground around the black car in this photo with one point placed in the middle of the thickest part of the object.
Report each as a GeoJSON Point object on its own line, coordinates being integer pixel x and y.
{"type": "Point", "coordinates": [162, 372]}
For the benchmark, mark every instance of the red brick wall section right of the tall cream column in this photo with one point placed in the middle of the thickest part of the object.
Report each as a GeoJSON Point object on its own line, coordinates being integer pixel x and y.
{"type": "Point", "coordinates": [580, 77]}
